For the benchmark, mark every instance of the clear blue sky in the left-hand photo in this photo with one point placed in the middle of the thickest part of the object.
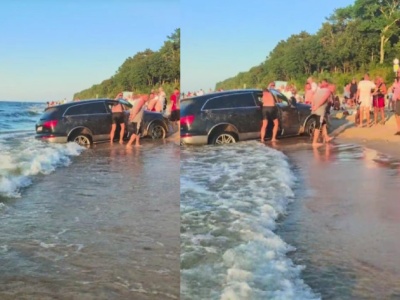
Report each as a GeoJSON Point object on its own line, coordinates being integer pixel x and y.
{"type": "Point", "coordinates": [50, 49]}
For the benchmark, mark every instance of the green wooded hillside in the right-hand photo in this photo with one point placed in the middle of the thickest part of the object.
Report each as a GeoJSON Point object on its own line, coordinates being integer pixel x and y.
{"type": "Point", "coordinates": [362, 37]}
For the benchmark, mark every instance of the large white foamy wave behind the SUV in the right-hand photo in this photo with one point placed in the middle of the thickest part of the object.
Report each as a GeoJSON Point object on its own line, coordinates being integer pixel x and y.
{"type": "Point", "coordinates": [231, 198]}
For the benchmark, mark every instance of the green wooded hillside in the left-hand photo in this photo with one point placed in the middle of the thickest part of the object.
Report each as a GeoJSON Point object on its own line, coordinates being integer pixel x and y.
{"type": "Point", "coordinates": [142, 72]}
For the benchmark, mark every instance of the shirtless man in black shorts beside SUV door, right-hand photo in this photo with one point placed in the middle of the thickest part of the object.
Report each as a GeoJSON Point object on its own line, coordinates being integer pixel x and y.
{"type": "Point", "coordinates": [269, 113]}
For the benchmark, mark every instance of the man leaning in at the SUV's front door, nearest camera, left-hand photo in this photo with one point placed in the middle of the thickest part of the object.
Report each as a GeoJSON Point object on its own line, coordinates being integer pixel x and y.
{"type": "Point", "coordinates": [135, 120]}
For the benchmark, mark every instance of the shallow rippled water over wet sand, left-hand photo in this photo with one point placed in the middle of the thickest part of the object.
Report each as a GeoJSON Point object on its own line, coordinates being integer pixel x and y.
{"type": "Point", "coordinates": [105, 227]}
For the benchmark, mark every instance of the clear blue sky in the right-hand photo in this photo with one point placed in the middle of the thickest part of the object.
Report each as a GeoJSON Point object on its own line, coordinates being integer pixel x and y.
{"type": "Point", "coordinates": [219, 38]}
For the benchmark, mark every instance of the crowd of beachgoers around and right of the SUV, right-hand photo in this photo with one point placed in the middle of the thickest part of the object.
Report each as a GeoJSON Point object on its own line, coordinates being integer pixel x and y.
{"type": "Point", "coordinates": [366, 96]}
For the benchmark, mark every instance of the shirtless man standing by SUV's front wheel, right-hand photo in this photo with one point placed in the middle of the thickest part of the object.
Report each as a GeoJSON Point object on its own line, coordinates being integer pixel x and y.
{"type": "Point", "coordinates": [319, 107]}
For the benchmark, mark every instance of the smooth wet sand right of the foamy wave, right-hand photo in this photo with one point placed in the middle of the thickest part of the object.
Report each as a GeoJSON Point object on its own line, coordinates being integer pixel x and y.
{"type": "Point", "coordinates": [346, 219]}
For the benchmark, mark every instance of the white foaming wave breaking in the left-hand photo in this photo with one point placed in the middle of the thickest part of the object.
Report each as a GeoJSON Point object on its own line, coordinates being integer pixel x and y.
{"type": "Point", "coordinates": [28, 157]}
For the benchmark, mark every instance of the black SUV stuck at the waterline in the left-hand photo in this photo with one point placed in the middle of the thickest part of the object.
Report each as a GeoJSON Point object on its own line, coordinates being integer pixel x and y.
{"type": "Point", "coordinates": [89, 121]}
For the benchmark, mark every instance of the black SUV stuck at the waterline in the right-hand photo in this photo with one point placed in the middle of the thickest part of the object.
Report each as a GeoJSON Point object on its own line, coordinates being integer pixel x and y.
{"type": "Point", "coordinates": [231, 116]}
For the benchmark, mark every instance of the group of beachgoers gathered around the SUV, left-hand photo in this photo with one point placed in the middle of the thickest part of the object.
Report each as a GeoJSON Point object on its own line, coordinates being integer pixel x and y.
{"type": "Point", "coordinates": [155, 101]}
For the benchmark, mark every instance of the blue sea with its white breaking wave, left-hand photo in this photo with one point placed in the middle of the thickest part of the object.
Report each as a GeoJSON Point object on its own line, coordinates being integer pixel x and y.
{"type": "Point", "coordinates": [22, 158]}
